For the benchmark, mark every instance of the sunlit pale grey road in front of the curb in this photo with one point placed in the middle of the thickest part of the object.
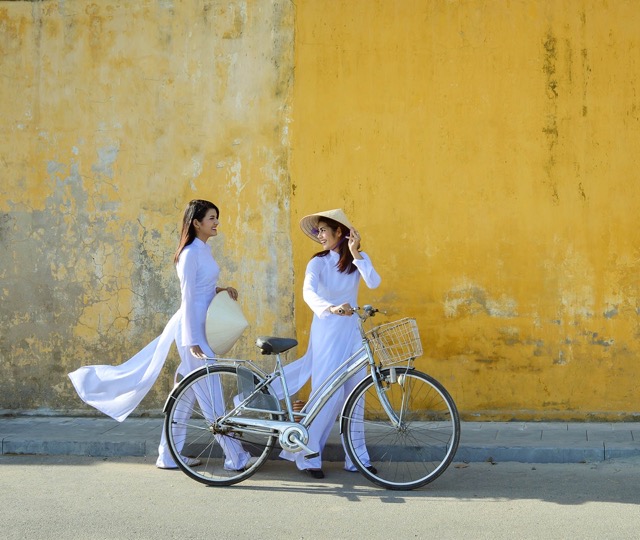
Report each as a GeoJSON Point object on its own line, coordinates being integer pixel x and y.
{"type": "Point", "coordinates": [75, 497]}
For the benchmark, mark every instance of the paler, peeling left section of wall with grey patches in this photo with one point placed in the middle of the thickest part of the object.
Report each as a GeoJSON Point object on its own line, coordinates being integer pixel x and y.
{"type": "Point", "coordinates": [113, 115]}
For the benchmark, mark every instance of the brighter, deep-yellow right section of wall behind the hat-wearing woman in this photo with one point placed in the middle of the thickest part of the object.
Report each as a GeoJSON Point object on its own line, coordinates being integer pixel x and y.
{"type": "Point", "coordinates": [488, 151]}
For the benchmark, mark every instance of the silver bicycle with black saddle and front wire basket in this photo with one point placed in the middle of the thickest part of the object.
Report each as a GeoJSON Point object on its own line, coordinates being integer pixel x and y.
{"type": "Point", "coordinates": [400, 426]}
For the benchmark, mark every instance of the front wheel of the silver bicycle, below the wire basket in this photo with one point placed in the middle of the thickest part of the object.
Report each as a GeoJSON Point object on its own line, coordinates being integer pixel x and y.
{"type": "Point", "coordinates": [415, 446]}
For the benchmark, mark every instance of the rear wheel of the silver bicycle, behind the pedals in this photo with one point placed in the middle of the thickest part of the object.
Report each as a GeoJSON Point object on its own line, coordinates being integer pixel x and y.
{"type": "Point", "coordinates": [226, 455]}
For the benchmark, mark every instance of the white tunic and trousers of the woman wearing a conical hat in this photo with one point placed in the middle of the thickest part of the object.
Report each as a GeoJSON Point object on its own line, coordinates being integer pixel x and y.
{"type": "Point", "coordinates": [333, 338]}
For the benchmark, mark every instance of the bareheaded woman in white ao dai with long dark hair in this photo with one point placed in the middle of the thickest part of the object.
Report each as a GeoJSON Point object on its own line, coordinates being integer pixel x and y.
{"type": "Point", "coordinates": [118, 390]}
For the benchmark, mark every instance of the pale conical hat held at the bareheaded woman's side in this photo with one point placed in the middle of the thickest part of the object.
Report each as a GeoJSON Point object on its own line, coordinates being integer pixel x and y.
{"type": "Point", "coordinates": [225, 323]}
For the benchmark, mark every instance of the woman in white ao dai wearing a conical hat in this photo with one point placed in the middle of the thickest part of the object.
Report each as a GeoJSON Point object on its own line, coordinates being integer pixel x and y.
{"type": "Point", "coordinates": [330, 289]}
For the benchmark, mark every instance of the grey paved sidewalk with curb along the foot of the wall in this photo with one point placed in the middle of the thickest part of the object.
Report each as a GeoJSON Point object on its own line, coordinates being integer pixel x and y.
{"type": "Point", "coordinates": [527, 442]}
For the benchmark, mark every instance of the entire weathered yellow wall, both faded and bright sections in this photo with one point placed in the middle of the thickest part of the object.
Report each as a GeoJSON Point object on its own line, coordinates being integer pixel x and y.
{"type": "Point", "coordinates": [487, 151]}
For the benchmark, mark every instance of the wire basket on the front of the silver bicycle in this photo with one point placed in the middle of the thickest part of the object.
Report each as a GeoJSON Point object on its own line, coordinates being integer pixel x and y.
{"type": "Point", "coordinates": [395, 342]}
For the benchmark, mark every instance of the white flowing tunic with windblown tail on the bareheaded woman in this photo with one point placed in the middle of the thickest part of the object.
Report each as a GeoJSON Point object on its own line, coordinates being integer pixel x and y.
{"type": "Point", "coordinates": [118, 390]}
